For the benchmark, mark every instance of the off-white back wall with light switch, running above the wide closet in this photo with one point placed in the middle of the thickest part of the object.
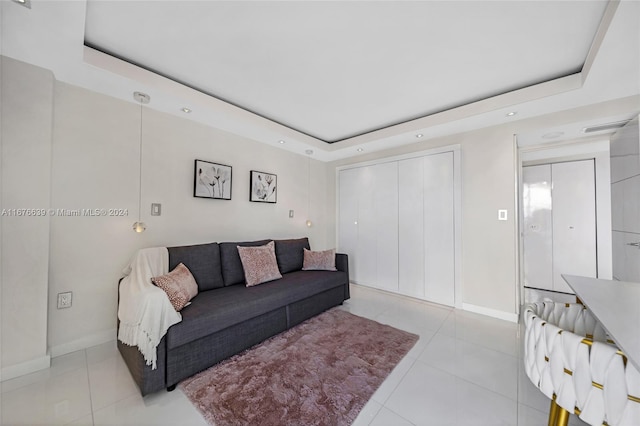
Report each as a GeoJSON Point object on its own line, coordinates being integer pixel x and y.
{"type": "Point", "coordinates": [490, 276]}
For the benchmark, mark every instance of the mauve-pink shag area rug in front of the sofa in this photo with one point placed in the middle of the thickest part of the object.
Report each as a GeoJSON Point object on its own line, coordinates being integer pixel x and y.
{"type": "Point", "coordinates": [320, 372]}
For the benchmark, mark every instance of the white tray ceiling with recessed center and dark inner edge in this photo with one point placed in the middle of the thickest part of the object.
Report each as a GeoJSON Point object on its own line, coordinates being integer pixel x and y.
{"type": "Point", "coordinates": [339, 77]}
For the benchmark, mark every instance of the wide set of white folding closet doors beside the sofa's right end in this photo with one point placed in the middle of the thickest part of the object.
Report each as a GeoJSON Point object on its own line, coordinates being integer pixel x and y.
{"type": "Point", "coordinates": [396, 222]}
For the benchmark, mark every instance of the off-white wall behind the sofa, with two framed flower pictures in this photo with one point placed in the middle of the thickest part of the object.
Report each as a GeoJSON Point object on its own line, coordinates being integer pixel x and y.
{"type": "Point", "coordinates": [95, 165]}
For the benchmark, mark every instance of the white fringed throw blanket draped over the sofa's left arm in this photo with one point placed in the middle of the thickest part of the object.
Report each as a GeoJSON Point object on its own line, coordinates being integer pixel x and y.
{"type": "Point", "coordinates": [144, 311]}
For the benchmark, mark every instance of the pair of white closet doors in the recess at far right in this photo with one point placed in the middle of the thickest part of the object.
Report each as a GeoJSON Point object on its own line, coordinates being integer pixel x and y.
{"type": "Point", "coordinates": [559, 209]}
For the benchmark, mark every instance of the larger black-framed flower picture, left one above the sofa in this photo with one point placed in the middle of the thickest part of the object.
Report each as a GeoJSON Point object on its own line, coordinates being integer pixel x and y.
{"type": "Point", "coordinates": [212, 180]}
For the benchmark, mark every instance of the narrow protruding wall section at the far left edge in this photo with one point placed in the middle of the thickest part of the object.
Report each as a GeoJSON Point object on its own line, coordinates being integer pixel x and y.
{"type": "Point", "coordinates": [27, 108]}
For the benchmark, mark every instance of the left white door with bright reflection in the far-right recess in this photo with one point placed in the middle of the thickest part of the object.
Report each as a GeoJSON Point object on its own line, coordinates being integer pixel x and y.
{"type": "Point", "coordinates": [538, 226]}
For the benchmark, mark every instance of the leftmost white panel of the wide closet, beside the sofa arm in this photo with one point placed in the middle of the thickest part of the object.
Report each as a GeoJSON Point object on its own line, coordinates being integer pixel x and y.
{"type": "Point", "coordinates": [348, 216]}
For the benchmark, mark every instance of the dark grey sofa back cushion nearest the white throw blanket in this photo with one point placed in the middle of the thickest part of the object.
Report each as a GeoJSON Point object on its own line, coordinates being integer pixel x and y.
{"type": "Point", "coordinates": [203, 260]}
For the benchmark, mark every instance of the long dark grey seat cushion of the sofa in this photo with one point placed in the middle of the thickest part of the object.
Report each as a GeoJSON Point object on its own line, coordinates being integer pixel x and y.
{"type": "Point", "coordinates": [216, 310]}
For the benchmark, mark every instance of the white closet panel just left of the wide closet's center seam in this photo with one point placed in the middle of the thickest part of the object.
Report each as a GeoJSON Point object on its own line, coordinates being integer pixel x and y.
{"type": "Point", "coordinates": [385, 202]}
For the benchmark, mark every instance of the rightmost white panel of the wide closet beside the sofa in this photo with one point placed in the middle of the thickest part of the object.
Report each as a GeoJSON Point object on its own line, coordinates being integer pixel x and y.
{"type": "Point", "coordinates": [439, 271]}
